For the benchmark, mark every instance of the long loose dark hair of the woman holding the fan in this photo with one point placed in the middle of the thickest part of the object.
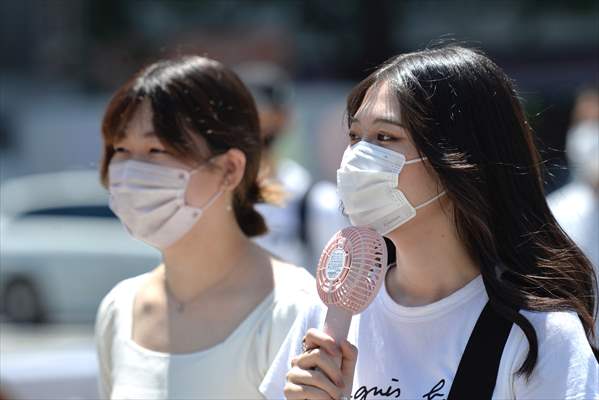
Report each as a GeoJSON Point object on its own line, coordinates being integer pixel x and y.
{"type": "Point", "coordinates": [464, 114]}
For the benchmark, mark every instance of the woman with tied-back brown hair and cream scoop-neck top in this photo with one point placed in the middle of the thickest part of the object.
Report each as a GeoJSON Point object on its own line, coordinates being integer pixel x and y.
{"type": "Point", "coordinates": [181, 160]}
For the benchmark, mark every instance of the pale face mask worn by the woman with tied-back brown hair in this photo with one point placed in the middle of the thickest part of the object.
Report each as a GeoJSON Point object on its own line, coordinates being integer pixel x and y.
{"type": "Point", "coordinates": [149, 199]}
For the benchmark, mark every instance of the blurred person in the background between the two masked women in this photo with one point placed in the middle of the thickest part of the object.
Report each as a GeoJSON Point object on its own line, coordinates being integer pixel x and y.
{"type": "Point", "coordinates": [310, 215]}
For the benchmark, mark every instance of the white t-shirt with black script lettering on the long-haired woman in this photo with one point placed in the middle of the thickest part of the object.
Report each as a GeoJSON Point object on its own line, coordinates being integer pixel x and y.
{"type": "Point", "coordinates": [414, 352]}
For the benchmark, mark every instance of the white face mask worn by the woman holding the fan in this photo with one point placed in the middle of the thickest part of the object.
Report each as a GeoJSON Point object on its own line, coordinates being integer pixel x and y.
{"type": "Point", "coordinates": [367, 186]}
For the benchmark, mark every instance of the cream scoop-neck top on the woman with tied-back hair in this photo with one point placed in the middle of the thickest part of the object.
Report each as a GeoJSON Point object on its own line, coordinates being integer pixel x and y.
{"type": "Point", "coordinates": [232, 369]}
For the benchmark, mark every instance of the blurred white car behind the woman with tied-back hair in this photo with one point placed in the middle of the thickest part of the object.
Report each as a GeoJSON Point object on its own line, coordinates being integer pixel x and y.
{"type": "Point", "coordinates": [61, 247]}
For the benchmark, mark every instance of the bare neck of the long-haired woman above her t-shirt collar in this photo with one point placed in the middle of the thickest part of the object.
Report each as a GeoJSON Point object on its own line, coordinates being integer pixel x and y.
{"type": "Point", "coordinates": [432, 261]}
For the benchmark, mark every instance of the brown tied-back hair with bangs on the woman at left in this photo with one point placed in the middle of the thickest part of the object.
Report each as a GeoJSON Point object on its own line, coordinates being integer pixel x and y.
{"type": "Point", "coordinates": [196, 97]}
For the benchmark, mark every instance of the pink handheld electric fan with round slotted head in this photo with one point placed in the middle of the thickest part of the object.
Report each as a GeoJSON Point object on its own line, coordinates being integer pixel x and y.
{"type": "Point", "coordinates": [350, 272]}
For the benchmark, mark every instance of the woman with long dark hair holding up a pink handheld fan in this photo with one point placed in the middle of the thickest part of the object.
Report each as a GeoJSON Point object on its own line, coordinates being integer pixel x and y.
{"type": "Point", "coordinates": [488, 298]}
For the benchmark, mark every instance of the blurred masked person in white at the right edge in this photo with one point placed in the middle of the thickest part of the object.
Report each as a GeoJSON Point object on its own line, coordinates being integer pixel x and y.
{"type": "Point", "coordinates": [576, 205]}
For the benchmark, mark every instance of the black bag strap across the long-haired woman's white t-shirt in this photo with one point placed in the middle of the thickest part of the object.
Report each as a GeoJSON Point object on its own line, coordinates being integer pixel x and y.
{"type": "Point", "coordinates": [477, 372]}
